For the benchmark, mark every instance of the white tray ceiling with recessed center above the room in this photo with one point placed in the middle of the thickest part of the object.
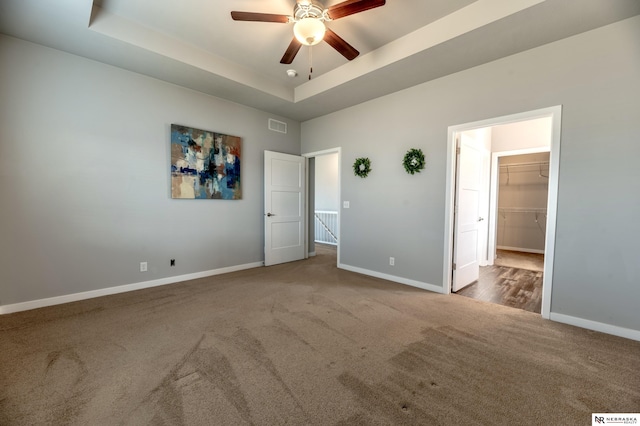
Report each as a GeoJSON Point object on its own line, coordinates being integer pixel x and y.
{"type": "Point", "coordinates": [196, 44]}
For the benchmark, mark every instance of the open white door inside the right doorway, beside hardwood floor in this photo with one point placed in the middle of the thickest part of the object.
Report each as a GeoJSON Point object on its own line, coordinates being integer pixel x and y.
{"type": "Point", "coordinates": [466, 268]}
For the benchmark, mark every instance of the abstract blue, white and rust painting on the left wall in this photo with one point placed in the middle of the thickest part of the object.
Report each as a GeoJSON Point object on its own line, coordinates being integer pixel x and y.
{"type": "Point", "coordinates": [204, 164]}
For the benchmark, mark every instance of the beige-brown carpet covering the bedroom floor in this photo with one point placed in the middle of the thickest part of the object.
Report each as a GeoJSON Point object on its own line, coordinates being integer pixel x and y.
{"type": "Point", "coordinates": [305, 343]}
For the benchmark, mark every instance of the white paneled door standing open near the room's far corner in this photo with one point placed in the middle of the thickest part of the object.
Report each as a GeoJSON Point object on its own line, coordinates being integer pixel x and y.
{"type": "Point", "coordinates": [284, 189]}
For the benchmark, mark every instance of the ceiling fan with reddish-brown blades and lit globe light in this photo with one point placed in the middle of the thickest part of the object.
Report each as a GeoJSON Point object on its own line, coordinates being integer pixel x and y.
{"type": "Point", "coordinates": [309, 29]}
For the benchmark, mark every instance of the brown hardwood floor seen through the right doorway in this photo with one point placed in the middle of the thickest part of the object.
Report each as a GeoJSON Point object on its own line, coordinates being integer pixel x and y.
{"type": "Point", "coordinates": [514, 287]}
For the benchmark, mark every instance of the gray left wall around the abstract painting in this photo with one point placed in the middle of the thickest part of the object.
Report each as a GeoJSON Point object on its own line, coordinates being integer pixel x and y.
{"type": "Point", "coordinates": [85, 177]}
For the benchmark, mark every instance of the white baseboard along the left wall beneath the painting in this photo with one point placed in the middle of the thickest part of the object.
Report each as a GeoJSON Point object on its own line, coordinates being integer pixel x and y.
{"type": "Point", "coordinates": [58, 300]}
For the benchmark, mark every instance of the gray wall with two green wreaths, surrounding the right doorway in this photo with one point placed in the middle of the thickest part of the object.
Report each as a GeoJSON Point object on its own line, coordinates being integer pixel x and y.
{"type": "Point", "coordinates": [595, 77]}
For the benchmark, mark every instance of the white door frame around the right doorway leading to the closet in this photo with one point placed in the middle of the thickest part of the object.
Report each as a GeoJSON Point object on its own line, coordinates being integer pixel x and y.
{"type": "Point", "coordinates": [555, 113]}
